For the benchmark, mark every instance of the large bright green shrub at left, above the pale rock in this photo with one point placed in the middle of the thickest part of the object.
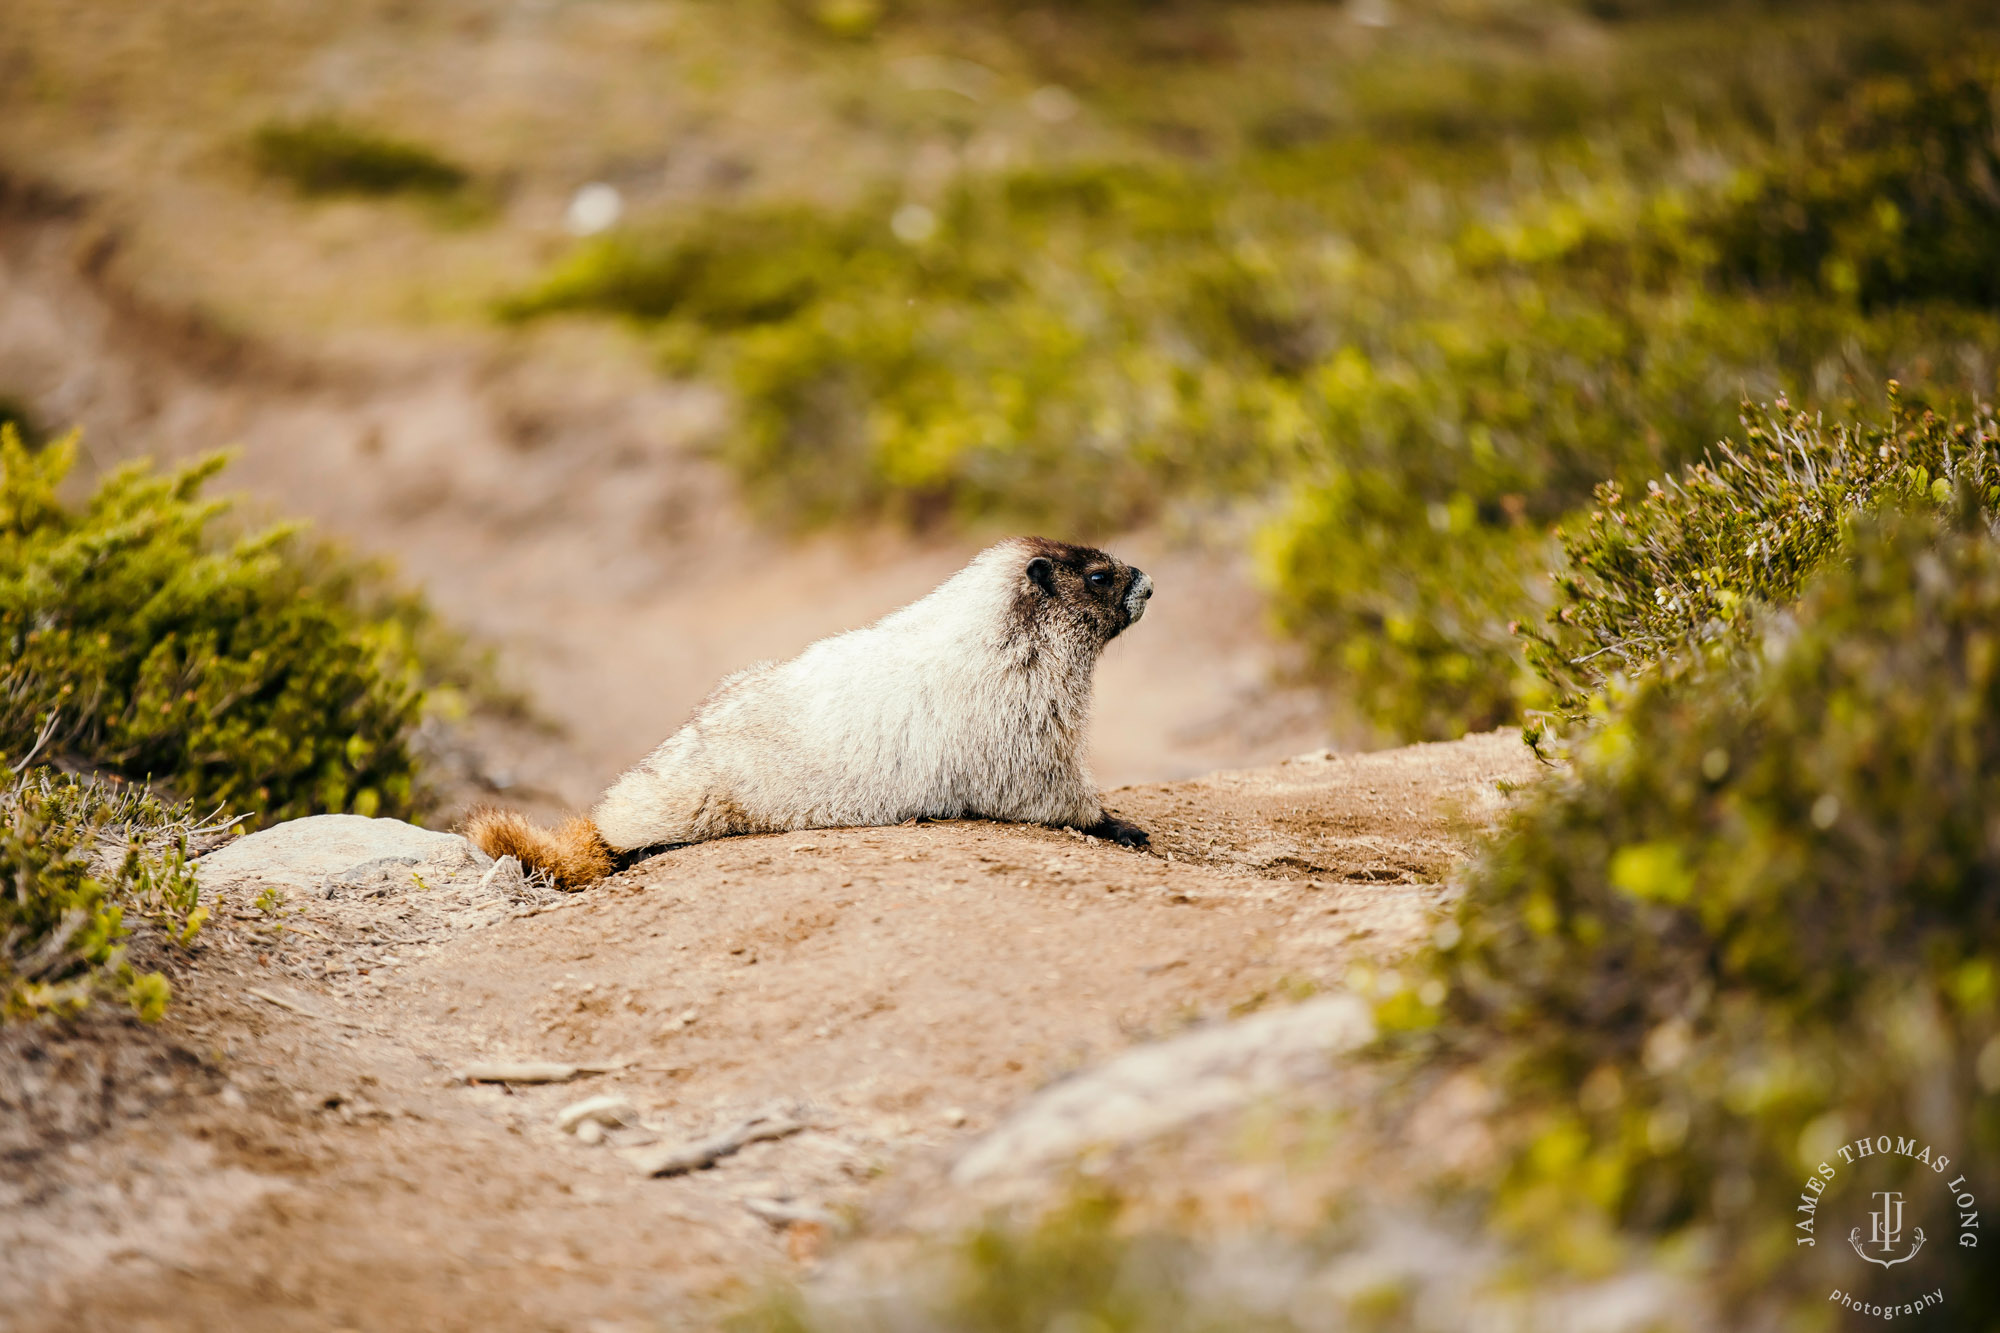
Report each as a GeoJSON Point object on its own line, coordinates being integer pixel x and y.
{"type": "Point", "coordinates": [245, 676]}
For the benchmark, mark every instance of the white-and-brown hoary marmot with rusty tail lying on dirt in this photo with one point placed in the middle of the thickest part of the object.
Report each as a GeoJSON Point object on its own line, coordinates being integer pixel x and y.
{"type": "Point", "coordinates": [967, 704]}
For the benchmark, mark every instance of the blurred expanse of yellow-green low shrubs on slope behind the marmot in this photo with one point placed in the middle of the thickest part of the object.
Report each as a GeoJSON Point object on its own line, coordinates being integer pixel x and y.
{"type": "Point", "coordinates": [1415, 313]}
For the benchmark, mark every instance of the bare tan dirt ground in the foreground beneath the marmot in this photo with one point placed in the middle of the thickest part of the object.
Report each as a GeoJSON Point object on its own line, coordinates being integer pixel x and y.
{"type": "Point", "coordinates": [319, 1166]}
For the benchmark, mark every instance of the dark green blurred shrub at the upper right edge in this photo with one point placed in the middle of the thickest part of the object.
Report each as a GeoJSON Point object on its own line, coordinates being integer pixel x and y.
{"type": "Point", "coordinates": [1895, 199]}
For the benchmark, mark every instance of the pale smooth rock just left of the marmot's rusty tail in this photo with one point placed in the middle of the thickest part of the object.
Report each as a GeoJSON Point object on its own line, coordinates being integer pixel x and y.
{"type": "Point", "coordinates": [307, 854]}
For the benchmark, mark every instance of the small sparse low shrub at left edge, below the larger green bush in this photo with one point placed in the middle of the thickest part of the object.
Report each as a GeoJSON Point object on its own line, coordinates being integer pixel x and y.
{"type": "Point", "coordinates": [81, 864]}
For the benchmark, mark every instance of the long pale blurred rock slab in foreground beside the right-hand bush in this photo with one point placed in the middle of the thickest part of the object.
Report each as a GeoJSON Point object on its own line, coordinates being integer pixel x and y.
{"type": "Point", "coordinates": [1159, 1088]}
